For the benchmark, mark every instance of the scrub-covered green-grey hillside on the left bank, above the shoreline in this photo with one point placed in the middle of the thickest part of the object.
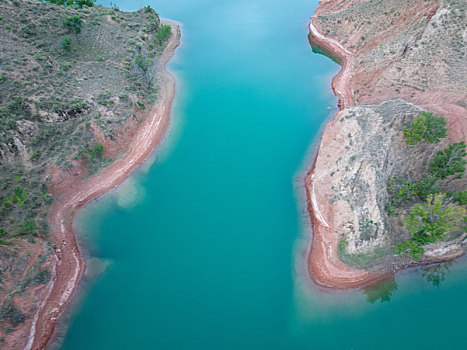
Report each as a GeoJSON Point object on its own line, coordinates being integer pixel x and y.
{"type": "Point", "coordinates": [72, 97]}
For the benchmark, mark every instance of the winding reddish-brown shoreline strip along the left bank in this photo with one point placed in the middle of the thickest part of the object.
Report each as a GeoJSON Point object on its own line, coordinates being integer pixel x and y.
{"type": "Point", "coordinates": [68, 267]}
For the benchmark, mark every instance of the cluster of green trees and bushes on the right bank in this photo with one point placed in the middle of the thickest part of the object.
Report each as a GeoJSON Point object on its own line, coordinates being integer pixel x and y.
{"type": "Point", "coordinates": [430, 215]}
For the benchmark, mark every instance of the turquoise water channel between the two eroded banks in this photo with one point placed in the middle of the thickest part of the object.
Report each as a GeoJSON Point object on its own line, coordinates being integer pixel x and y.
{"type": "Point", "coordinates": [204, 247]}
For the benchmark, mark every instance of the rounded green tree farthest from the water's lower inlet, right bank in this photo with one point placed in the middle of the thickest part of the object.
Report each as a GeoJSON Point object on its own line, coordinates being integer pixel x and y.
{"type": "Point", "coordinates": [426, 126]}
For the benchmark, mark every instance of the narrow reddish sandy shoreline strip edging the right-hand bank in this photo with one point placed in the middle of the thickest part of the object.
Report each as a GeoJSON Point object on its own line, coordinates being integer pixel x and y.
{"type": "Point", "coordinates": [324, 265]}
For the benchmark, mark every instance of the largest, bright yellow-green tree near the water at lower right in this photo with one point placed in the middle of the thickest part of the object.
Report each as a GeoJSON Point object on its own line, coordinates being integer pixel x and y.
{"type": "Point", "coordinates": [430, 222]}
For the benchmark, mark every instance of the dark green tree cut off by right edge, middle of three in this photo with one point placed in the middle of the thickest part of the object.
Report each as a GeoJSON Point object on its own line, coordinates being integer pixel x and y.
{"type": "Point", "coordinates": [449, 161]}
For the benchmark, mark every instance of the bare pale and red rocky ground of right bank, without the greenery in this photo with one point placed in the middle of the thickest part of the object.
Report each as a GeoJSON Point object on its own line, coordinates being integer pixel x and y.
{"type": "Point", "coordinates": [389, 50]}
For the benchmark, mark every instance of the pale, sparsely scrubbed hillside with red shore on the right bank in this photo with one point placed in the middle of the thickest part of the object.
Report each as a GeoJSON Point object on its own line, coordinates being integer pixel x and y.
{"type": "Point", "coordinates": [400, 59]}
